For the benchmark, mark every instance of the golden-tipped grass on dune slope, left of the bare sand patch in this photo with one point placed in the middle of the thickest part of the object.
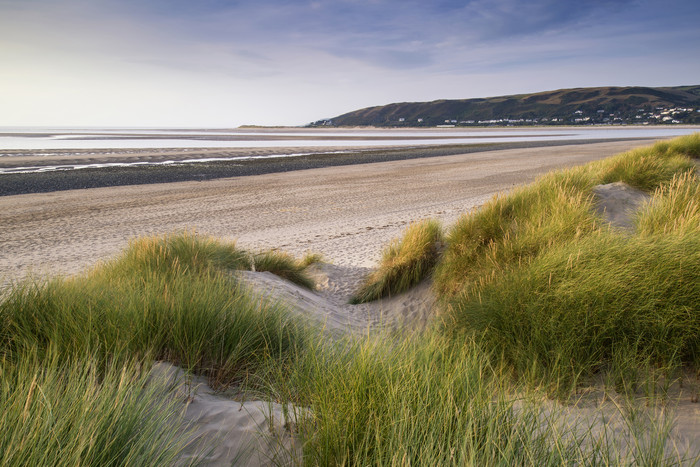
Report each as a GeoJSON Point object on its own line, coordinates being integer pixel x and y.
{"type": "Point", "coordinates": [512, 229]}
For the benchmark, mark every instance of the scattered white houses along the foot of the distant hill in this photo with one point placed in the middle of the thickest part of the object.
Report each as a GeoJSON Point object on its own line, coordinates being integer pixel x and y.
{"type": "Point", "coordinates": [640, 116]}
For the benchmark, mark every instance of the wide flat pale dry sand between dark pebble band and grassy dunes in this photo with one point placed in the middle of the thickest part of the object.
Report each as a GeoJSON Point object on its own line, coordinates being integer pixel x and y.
{"type": "Point", "coordinates": [345, 213]}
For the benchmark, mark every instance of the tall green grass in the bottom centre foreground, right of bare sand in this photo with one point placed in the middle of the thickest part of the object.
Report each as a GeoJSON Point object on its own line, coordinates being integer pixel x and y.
{"type": "Point", "coordinates": [429, 400]}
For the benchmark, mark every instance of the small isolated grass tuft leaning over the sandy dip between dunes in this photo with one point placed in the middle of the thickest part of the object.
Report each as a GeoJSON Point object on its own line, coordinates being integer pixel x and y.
{"type": "Point", "coordinates": [404, 263]}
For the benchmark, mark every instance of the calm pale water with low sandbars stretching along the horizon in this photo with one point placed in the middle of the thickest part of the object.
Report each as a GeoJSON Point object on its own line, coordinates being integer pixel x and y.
{"type": "Point", "coordinates": [44, 141]}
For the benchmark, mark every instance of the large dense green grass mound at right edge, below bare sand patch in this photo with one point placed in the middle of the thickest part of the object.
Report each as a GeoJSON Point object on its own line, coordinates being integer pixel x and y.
{"type": "Point", "coordinates": [578, 308]}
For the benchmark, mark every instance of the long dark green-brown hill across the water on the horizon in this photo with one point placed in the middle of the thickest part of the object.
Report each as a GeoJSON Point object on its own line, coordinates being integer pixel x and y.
{"type": "Point", "coordinates": [611, 105]}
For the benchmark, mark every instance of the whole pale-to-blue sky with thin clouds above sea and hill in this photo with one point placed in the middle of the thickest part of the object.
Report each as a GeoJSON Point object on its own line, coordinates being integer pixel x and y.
{"type": "Point", "coordinates": [225, 63]}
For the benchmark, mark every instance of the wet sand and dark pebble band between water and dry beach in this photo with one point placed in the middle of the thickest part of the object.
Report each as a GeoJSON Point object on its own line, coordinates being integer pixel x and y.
{"type": "Point", "coordinates": [175, 165]}
